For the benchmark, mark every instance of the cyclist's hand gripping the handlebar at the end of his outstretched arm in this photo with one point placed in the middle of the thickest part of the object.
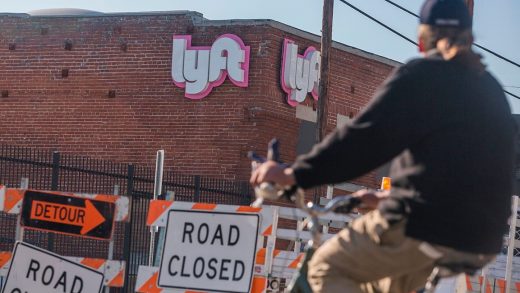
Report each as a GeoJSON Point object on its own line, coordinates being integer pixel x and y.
{"type": "Point", "coordinates": [272, 172]}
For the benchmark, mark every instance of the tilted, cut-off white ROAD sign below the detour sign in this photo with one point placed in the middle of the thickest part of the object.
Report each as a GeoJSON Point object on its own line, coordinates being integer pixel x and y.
{"type": "Point", "coordinates": [34, 270]}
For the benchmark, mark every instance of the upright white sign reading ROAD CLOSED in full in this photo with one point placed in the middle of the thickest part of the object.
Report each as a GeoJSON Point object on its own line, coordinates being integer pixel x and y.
{"type": "Point", "coordinates": [209, 251]}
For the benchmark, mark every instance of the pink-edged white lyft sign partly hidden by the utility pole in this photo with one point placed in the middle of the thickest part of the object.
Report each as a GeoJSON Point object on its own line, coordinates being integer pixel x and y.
{"type": "Point", "coordinates": [300, 74]}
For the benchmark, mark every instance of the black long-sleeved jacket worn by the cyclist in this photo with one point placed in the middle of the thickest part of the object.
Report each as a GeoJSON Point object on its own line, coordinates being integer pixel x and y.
{"type": "Point", "coordinates": [451, 134]}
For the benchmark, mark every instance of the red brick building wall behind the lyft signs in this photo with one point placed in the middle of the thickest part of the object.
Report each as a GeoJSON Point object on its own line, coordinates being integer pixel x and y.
{"type": "Point", "coordinates": [101, 85]}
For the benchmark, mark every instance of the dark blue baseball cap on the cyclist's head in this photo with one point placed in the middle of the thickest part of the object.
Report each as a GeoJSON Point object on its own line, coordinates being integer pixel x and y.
{"type": "Point", "coordinates": [449, 13]}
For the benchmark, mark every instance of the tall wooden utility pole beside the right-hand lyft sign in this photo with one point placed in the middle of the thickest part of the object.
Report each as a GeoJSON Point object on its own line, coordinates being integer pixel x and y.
{"type": "Point", "coordinates": [326, 42]}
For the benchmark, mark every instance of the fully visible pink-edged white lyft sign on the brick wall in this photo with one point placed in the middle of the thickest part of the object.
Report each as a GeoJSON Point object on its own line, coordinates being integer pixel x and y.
{"type": "Point", "coordinates": [200, 69]}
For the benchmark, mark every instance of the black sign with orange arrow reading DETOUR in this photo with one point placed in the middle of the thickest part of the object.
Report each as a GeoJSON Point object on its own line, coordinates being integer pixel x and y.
{"type": "Point", "coordinates": [67, 214]}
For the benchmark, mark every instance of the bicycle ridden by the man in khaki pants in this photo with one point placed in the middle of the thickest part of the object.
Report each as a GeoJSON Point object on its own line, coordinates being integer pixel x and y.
{"type": "Point", "coordinates": [340, 204]}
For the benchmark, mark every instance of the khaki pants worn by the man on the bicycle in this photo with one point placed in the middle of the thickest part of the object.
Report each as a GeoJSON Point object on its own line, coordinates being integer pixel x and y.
{"type": "Point", "coordinates": [373, 256]}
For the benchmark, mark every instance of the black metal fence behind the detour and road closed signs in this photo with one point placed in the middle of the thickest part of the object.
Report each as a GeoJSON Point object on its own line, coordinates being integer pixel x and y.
{"type": "Point", "coordinates": [65, 172]}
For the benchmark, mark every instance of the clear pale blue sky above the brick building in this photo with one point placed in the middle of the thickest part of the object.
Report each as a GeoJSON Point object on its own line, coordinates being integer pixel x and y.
{"type": "Point", "coordinates": [495, 25]}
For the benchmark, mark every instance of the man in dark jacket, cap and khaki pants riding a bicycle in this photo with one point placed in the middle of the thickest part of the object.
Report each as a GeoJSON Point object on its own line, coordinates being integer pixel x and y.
{"type": "Point", "coordinates": [445, 122]}
